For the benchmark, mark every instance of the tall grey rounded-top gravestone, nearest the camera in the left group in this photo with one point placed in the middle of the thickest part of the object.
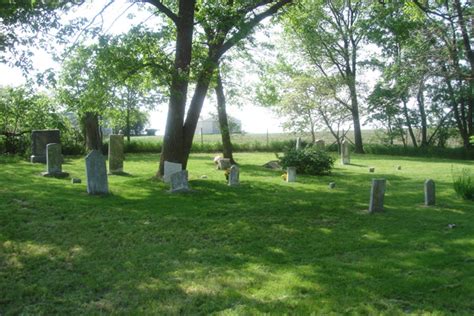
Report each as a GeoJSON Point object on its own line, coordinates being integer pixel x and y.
{"type": "Point", "coordinates": [96, 173]}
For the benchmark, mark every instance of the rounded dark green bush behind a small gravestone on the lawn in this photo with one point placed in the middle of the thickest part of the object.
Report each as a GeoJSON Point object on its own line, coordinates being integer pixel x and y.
{"type": "Point", "coordinates": [309, 160]}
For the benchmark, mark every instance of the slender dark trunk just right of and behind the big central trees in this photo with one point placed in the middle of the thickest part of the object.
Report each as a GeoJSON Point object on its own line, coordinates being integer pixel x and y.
{"type": "Point", "coordinates": [223, 119]}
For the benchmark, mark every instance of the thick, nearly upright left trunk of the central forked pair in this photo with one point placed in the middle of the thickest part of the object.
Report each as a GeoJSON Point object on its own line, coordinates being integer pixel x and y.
{"type": "Point", "coordinates": [173, 141]}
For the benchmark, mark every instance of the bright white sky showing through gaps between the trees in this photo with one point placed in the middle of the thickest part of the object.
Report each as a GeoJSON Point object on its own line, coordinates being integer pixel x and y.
{"type": "Point", "coordinates": [116, 20]}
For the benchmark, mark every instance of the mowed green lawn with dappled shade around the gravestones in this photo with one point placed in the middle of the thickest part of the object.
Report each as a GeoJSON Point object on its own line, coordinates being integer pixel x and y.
{"type": "Point", "coordinates": [264, 247]}
